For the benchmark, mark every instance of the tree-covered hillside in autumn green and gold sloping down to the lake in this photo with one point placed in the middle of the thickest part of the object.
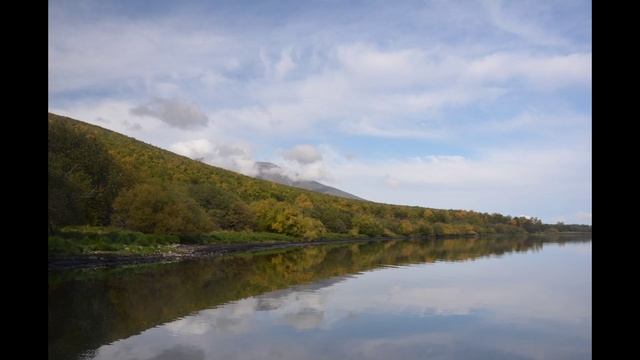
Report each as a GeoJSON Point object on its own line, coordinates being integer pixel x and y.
{"type": "Point", "coordinates": [102, 178]}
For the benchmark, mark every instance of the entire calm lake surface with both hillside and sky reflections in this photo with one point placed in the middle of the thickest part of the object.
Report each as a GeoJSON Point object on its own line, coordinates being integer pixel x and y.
{"type": "Point", "coordinates": [347, 304]}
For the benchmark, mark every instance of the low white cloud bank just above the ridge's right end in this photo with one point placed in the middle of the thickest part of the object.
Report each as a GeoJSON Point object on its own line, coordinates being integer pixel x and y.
{"type": "Point", "coordinates": [507, 180]}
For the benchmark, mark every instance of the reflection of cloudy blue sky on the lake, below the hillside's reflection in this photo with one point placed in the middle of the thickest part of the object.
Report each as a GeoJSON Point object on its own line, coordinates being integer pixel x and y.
{"type": "Point", "coordinates": [524, 308]}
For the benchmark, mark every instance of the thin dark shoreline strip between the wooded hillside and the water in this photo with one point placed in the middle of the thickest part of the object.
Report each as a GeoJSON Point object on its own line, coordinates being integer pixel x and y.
{"type": "Point", "coordinates": [184, 252]}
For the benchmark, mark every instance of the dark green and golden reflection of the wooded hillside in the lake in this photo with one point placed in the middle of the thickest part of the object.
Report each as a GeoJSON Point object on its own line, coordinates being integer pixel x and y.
{"type": "Point", "coordinates": [91, 308]}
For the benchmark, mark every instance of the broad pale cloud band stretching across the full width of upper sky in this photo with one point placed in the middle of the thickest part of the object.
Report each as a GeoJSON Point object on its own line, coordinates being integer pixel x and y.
{"type": "Point", "coordinates": [354, 81]}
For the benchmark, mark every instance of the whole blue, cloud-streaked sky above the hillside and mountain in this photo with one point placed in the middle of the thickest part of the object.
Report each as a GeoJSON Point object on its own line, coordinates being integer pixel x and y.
{"type": "Point", "coordinates": [476, 105]}
